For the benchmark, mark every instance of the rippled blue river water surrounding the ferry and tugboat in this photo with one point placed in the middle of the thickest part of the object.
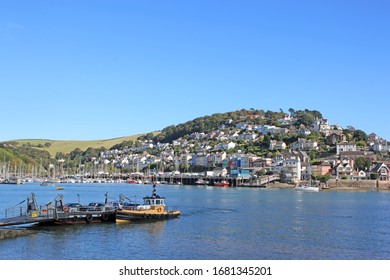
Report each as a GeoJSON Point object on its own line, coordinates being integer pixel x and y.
{"type": "Point", "coordinates": [216, 224]}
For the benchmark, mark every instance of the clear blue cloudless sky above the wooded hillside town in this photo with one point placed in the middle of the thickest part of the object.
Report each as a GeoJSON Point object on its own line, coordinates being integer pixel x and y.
{"type": "Point", "coordinates": [97, 69]}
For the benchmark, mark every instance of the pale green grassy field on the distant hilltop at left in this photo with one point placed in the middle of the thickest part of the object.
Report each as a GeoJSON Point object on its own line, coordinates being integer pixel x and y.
{"type": "Point", "coordinates": [66, 146]}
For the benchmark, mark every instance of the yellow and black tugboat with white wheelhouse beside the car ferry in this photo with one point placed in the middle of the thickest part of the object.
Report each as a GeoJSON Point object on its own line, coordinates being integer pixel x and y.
{"type": "Point", "coordinates": [153, 208]}
